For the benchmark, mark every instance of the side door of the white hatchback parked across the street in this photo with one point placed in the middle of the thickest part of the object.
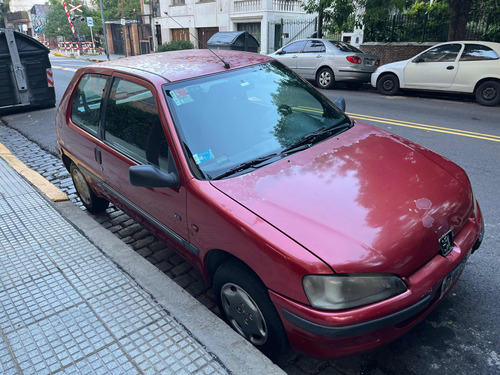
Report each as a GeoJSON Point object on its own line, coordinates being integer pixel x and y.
{"type": "Point", "coordinates": [434, 69]}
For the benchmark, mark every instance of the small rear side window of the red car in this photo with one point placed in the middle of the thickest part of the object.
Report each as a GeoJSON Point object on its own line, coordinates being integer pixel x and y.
{"type": "Point", "coordinates": [86, 105]}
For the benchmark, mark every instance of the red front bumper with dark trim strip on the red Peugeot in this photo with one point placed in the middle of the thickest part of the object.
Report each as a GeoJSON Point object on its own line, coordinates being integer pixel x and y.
{"type": "Point", "coordinates": [326, 334]}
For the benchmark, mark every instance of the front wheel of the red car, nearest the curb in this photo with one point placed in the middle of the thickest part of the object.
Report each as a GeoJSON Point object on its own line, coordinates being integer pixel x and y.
{"type": "Point", "coordinates": [245, 304]}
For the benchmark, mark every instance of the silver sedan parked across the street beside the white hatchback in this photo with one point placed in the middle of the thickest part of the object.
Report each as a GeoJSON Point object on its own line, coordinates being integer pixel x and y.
{"type": "Point", "coordinates": [328, 61]}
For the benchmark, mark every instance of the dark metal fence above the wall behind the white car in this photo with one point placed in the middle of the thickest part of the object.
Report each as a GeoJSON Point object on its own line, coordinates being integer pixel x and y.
{"type": "Point", "coordinates": [428, 28]}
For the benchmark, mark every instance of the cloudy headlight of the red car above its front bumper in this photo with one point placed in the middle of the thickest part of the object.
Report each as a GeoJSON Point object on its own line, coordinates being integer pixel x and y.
{"type": "Point", "coordinates": [337, 292]}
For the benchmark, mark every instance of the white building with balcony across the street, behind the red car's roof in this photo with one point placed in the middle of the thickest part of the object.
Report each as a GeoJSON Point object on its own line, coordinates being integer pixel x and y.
{"type": "Point", "coordinates": [272, 22]}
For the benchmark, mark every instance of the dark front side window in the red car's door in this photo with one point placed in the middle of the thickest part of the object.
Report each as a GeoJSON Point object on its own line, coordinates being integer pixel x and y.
{"type": "Point", "coordinates": [133, 126]}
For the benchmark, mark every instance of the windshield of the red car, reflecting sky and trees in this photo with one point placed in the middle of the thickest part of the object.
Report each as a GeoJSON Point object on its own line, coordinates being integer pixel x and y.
{"type": "Point", "coordinates": [232, 121]}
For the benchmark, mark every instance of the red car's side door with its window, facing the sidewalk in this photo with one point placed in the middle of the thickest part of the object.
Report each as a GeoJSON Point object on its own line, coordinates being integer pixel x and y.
{"type": "Point", "coordinates": [133, 134]}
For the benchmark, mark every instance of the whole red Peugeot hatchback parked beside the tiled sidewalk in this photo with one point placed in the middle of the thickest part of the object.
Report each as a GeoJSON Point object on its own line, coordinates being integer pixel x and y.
{"type": "Point", "coordinates": [315, 230]}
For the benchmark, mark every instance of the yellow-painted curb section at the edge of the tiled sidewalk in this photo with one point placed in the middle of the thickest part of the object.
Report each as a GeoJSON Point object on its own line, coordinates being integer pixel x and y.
{"type": "Point", "coordinates": [40, 182]}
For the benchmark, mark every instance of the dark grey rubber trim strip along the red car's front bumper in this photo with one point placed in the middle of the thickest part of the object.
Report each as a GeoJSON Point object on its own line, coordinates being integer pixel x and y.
{"type": "Point", "coordinates": [357, 329]}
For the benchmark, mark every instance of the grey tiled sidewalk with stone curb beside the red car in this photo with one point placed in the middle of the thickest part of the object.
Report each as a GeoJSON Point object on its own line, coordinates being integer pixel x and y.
{"type": "Point", "coordinates": [76, 299]}
